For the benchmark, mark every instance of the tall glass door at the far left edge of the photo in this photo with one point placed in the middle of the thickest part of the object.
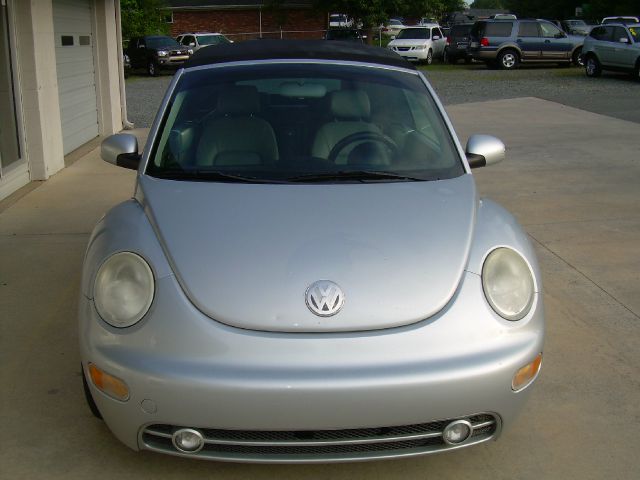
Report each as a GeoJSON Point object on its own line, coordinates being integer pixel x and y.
{"type": "Point", "coordinates": [10, 151]}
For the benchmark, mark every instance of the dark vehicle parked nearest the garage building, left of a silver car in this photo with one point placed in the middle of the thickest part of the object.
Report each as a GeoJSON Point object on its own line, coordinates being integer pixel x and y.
{"type": "Point", "coordinates": [156, 52]}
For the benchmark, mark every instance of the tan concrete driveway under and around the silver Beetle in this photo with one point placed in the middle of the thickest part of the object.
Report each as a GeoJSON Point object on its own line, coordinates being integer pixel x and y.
{"type": "Point", "coordinates": [571, 177]}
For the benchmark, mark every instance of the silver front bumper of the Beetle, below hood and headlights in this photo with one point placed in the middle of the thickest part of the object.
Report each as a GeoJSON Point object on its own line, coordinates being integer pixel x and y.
{"type": "Point", "coordinates": [183, 369]}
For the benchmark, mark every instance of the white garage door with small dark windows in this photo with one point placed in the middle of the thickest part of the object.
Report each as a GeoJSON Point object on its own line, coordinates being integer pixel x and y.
{"type": "Point", "coordinates": [76, 72]}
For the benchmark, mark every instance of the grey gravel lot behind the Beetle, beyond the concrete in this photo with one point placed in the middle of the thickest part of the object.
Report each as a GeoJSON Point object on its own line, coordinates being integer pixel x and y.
{"type": "Point", "coordinates": [615, 95]}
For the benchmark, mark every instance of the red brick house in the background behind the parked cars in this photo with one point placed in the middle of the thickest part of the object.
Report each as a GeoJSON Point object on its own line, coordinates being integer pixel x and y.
{"type": "Point", "coordinates": [247, 19]}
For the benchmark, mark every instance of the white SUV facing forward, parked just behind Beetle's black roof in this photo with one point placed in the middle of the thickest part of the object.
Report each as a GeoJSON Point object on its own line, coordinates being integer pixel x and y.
{"type": "Point", "coordinates": [420, 44]}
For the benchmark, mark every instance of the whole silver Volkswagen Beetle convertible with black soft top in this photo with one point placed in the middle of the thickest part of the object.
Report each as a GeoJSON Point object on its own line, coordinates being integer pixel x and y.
{"type": "Point", "coordinates": [305, 272]}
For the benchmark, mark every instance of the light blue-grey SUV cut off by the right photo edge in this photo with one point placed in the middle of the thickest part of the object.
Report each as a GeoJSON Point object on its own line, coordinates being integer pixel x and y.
{"type": "Point", "coordinates": [613, 47]}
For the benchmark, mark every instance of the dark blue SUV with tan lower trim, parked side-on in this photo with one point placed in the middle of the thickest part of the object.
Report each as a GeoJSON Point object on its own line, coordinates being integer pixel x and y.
{"type": "Point", "coordinates": [506, 43]}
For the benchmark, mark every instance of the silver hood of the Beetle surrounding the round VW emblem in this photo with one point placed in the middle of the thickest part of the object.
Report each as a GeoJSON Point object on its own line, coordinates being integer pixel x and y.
{"type": "Point", "coordinates": [245, 254]}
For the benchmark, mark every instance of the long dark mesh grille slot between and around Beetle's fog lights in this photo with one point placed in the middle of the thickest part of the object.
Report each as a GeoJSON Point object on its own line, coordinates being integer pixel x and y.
{"type": "Point", "coordinates": [319, 445]}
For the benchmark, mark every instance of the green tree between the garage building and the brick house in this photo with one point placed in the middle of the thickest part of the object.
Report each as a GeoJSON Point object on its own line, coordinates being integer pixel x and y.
{"type": "Point", "coordinates": [143, 17]}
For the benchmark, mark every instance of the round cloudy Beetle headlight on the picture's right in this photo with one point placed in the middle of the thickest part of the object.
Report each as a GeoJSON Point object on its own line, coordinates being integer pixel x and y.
{"type": "Point", "coordinates": [507, 282]}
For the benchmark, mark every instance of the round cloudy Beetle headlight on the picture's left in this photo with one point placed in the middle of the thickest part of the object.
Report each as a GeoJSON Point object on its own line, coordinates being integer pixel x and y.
{"type": "Point", "coordinates": [123, 290]}
